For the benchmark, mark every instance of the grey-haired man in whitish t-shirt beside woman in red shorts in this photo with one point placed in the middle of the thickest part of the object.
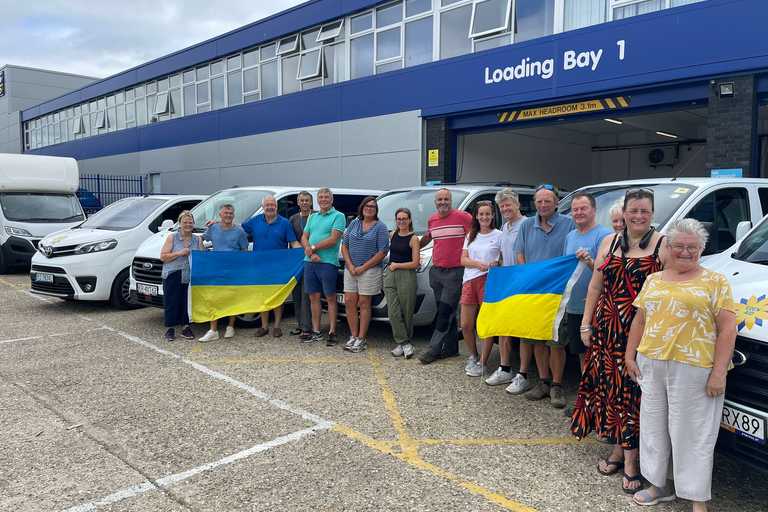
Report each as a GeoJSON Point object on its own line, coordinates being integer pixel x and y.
{"type": "Point", "coordinates": [509, 204]}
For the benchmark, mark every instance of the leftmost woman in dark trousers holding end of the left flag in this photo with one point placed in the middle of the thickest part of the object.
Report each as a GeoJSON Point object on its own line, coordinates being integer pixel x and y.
{"type": "Point", "coordinates": [175, 258]}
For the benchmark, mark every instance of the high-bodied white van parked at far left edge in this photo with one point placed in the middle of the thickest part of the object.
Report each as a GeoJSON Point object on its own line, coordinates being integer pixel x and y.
{"type": "Point", "coordinates": [37, 197]}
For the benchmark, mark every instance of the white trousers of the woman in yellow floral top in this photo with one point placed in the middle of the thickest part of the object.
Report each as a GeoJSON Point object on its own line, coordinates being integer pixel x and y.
{"type": "Point", "coordinates": [677, 418]}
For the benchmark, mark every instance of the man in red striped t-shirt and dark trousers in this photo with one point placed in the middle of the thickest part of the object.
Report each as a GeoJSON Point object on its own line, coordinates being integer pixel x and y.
{"type": "Point", "coordinates": [447, 229]}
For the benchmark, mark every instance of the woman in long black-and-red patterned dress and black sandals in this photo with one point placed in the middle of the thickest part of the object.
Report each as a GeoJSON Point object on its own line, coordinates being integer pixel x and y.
{"type": "Point", "coordinates": [608, 401]}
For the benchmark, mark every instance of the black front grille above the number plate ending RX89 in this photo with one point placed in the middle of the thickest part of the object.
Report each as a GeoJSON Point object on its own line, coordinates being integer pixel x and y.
{"type": "Point", "coordinates": [748, 383]}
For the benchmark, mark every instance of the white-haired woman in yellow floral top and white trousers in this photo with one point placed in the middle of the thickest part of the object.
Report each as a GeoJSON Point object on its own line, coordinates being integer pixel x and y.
{"type": "Point", "coordinates": [679, 350]}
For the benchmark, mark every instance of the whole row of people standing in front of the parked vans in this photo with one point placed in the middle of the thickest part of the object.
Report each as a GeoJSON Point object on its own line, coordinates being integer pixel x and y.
{"type": "Point", "coordinates": [653, 330]}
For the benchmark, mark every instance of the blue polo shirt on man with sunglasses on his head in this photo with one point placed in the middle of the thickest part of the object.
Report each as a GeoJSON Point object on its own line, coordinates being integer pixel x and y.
{"type": "Point", "coordinates": [535, 244]}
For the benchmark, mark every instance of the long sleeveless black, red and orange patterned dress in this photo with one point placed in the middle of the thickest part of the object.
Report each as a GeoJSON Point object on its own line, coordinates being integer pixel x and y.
{"type": "Point", "coordinates": [608, 401]}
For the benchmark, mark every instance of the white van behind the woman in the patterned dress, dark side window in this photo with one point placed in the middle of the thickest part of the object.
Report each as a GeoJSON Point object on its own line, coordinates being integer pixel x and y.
{"type": "Point", "coordinates": [728, 207]}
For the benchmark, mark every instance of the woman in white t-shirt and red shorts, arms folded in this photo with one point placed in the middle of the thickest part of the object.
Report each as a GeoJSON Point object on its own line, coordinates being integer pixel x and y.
{"type": "Point", "coordinates": [482, 250]}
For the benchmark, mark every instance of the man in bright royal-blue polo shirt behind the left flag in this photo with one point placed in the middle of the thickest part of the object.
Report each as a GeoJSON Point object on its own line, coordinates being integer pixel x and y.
{"type": "Point", "coordinates": [270, 231]}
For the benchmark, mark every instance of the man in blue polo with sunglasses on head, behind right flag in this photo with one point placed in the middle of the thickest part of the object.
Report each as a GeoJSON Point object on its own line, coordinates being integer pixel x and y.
{"type": "Point", "coordinates": [542, 237]}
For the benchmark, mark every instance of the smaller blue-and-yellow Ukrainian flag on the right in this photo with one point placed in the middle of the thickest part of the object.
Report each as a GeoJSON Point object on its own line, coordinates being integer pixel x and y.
{"type": "Point", "coordinates": [527, 301]}
